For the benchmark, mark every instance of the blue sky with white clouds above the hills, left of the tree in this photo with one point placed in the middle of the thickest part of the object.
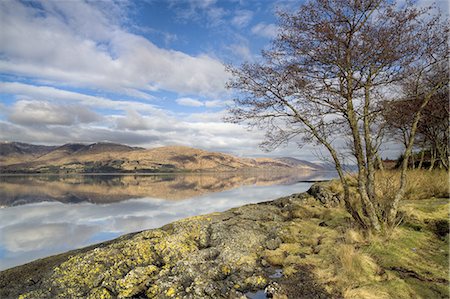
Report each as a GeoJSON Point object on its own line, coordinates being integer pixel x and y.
{"type": "Point", "coordinates": [144, 73]}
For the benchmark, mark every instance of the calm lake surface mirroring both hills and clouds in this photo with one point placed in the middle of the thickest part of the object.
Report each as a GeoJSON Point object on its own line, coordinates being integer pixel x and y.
{"type": "Point", "coordinates": [45, 215]}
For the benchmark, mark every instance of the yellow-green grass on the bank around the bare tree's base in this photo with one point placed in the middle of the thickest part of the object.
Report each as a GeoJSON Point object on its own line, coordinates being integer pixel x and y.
{"type": "Point", "coordinates": [412, 263]}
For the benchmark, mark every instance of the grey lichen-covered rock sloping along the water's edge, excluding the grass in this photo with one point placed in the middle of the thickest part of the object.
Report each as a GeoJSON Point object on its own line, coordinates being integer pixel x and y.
{"type": "Point", "coordinates": [220, 255]}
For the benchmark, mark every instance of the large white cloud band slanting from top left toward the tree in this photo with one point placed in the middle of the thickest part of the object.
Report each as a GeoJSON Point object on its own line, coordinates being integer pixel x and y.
{"type": "Point", "coordinates": [90, 50]}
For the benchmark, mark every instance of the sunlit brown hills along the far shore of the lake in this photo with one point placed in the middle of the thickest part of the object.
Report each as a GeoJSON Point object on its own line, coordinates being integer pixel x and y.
{"type": "Point", "coordinates": [111, 157]}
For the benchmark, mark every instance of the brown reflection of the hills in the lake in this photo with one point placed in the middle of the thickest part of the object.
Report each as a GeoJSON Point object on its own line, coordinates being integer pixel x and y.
{"type": "Point", "coordinates": [102, 189]}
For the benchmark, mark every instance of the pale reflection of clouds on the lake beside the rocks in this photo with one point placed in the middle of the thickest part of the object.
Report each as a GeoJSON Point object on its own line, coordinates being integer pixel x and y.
{"type": "Point", "coordinates": [40, 229]}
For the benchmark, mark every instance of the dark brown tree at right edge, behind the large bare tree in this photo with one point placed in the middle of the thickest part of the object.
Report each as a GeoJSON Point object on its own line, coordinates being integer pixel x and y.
{"type": "Point", "coordinates": [432, 129]}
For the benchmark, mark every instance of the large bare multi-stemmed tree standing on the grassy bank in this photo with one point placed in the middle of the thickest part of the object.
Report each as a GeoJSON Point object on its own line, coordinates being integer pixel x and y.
{"type": "Point", "coordinates": [332, 65]}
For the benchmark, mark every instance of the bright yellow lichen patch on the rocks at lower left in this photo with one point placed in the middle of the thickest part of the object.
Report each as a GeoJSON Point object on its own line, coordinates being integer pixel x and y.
{"type": "Point", "coordinates": [126, 267]}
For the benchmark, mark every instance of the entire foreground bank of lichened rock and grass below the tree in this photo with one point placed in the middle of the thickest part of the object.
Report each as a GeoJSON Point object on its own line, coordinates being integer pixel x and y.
{"type": "Point", "coordinates": [300, 246]}
